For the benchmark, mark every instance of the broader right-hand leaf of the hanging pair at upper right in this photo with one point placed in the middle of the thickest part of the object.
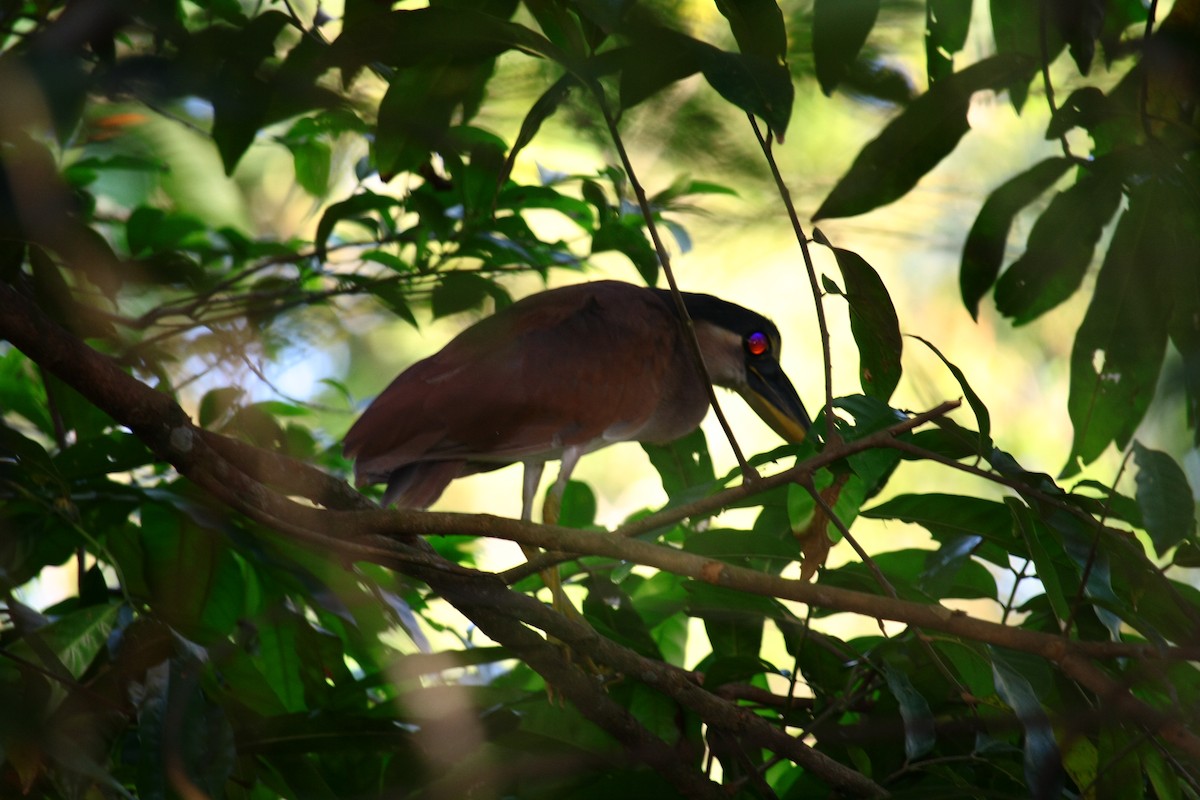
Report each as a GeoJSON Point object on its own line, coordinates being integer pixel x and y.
{"type": "Point", "coordinates": [1060, 248]}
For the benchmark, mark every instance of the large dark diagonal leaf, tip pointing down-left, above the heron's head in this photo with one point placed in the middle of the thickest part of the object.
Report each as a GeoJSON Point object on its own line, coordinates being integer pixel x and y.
{"type": "Point", "coordinates": [916, 141]}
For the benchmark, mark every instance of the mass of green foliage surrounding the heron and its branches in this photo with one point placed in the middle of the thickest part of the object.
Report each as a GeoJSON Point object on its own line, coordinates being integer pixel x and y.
{"type": "Point", "coordinates": [203, 654]}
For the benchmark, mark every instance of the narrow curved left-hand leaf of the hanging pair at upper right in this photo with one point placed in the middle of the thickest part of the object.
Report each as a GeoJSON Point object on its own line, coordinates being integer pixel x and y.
{"type": "Point", "coordinates": [983, 254]}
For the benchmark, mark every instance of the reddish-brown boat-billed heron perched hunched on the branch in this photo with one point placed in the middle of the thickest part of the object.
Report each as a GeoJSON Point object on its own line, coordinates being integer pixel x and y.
{"type": "Point", "coordinates": [560, 375]}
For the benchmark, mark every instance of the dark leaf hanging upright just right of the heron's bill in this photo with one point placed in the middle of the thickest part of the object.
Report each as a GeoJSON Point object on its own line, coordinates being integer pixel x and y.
{"type": "Point", "coordinates": [874, 323]}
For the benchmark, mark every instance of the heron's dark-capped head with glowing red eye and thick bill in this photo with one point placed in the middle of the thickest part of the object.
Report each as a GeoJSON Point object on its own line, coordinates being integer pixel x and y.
{"type": "Point", "coordinates": [741, 351]}
